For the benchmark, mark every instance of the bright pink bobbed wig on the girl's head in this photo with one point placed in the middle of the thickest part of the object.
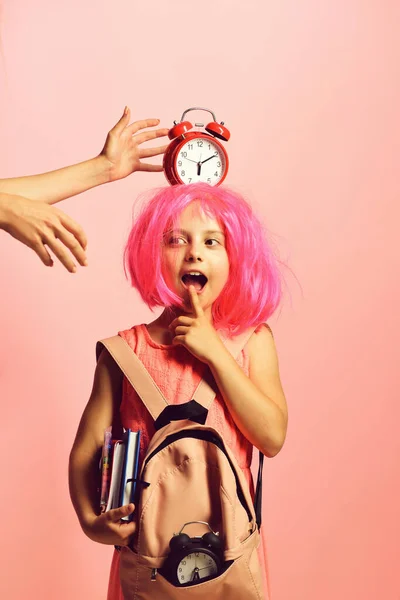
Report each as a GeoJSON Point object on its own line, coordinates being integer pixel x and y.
{"type": "Point", "coordinates": [253, 290]}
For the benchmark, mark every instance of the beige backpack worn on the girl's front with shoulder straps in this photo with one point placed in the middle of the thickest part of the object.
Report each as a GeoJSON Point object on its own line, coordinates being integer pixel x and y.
{"type": "Point", "coordinates": [197, 528]}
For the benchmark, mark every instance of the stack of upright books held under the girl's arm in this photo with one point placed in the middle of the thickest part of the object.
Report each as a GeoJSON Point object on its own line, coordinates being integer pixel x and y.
{"type": "Point", "coordinates": [119, 470]}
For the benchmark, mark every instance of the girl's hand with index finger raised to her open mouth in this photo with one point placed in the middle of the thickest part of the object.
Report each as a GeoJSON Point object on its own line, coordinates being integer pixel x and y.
{"type": "Point", "coordinates": [196, 333]}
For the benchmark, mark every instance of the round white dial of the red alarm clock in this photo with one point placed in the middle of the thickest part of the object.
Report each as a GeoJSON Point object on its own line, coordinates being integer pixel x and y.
{"type": "Point", "coordinates": [200, 159]}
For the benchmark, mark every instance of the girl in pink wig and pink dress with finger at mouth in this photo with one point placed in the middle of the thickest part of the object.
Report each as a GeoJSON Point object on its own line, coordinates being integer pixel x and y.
{"type": "Point", "coordinates": [199, 252]}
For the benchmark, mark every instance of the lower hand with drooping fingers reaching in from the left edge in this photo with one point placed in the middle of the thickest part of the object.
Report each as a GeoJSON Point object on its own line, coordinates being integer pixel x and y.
{"type": "Point", "coordinates": [37, 225]}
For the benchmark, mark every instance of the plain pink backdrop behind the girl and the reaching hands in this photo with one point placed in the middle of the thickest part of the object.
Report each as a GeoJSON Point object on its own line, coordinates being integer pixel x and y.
{"type": "Point", "coordinates": [310, 92]}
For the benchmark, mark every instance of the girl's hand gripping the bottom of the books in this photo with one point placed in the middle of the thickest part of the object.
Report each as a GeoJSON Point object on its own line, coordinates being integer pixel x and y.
{"type": "Point", "coordinates": [108, 528]}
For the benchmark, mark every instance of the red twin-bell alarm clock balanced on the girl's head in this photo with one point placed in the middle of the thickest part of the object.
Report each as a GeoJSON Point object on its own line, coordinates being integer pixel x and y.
{"type": "Point", "coordinates": [194, 156]}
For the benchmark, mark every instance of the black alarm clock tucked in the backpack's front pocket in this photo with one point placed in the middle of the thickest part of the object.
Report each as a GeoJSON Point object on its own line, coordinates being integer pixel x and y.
{"type": "Point", "coordinates": [193, 559]}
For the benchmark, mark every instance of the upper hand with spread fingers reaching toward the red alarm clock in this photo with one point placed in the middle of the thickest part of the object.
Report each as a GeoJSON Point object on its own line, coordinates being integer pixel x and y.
{"type": "Point", "coordinates": [122, 148]}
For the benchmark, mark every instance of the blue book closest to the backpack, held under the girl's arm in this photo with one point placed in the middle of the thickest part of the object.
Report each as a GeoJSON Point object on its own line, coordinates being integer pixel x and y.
{"type": "Point", "coordinates": [130, 468]}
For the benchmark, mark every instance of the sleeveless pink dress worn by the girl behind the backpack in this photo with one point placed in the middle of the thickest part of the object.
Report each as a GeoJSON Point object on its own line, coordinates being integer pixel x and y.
{"type": "Point", "coordinates": [177, 373]}
